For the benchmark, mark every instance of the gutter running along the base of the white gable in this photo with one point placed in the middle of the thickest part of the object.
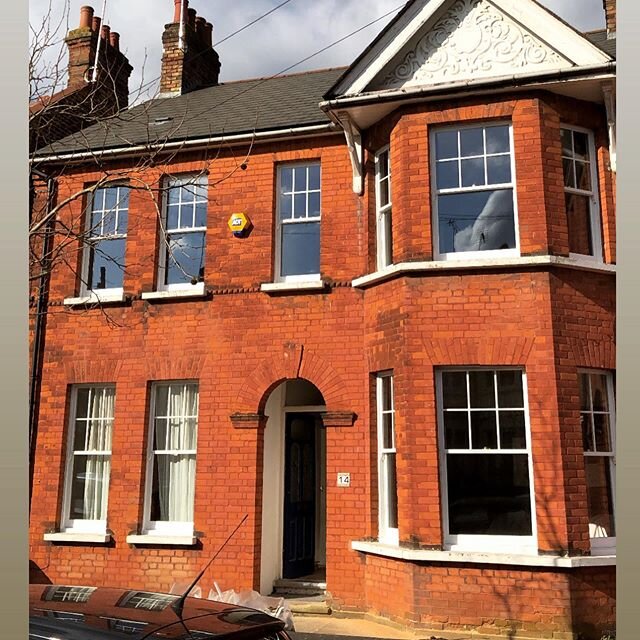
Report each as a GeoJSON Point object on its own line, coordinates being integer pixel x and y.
{"type": "Point", "coordinates": [468, 86]}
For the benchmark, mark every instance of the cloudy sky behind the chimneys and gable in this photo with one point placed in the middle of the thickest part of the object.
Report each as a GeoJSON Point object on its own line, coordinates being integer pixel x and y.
{"type": "Point", "coordinates": [288, 35]}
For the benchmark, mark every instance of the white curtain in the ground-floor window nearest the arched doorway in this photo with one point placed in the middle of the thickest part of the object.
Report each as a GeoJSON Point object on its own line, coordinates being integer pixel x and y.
{"type": "Point", "coordinates": [176, 470]}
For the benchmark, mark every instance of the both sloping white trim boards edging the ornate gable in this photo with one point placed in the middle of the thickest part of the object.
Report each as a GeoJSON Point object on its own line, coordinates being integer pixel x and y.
{"type": "Point", "coordinates": [422, 15]}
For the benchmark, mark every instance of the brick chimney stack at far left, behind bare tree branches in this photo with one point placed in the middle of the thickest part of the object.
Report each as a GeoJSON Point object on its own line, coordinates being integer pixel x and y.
{"type": "Point", "coordinates": [111, 91]}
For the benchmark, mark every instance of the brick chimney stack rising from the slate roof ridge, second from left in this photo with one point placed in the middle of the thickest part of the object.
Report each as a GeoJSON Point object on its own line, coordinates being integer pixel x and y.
{"type": "Point", "coordinates": [188, 60]}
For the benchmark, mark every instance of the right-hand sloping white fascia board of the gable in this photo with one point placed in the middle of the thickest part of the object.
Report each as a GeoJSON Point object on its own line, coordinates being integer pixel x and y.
{"type": "Point", "coordinates": [565, 40]}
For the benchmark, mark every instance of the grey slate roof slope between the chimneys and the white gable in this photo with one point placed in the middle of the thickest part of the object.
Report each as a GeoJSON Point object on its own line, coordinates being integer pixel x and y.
{"type": "Point", "coordinates": [260, 104]}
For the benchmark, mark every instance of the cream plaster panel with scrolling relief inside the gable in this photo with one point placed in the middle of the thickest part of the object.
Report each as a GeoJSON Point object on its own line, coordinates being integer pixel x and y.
{"type": "Point", "coordinates": [472, 40]}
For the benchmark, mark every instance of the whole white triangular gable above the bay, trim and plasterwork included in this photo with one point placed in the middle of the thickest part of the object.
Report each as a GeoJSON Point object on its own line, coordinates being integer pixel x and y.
{"type": "Point", "coordinates": [432, 42]}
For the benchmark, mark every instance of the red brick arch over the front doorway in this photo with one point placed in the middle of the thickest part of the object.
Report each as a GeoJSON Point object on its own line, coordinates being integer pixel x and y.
{"type": "Point", "coordinates": [294, 361]}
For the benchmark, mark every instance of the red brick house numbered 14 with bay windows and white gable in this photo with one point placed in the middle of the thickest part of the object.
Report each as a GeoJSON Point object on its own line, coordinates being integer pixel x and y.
{"type": "Point", "coordinates": [371, 308]}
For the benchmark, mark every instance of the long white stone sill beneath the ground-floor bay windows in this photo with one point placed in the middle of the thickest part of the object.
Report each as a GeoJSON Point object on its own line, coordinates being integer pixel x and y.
{"type": "Point", "coordinates": [481, 557]}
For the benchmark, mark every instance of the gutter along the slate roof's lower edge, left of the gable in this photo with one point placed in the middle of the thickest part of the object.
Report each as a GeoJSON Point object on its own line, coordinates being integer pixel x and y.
{"type": "Point", "coordinates": [291, 133]}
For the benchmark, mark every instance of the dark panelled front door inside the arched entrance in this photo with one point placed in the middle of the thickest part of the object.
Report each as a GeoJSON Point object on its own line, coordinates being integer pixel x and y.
{"type": "Point", "coordinates": [299, 495]}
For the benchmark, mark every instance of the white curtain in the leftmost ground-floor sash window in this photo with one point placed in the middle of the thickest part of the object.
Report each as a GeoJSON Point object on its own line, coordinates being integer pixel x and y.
{"type": "Point", "coordinates": [98, 438]}
